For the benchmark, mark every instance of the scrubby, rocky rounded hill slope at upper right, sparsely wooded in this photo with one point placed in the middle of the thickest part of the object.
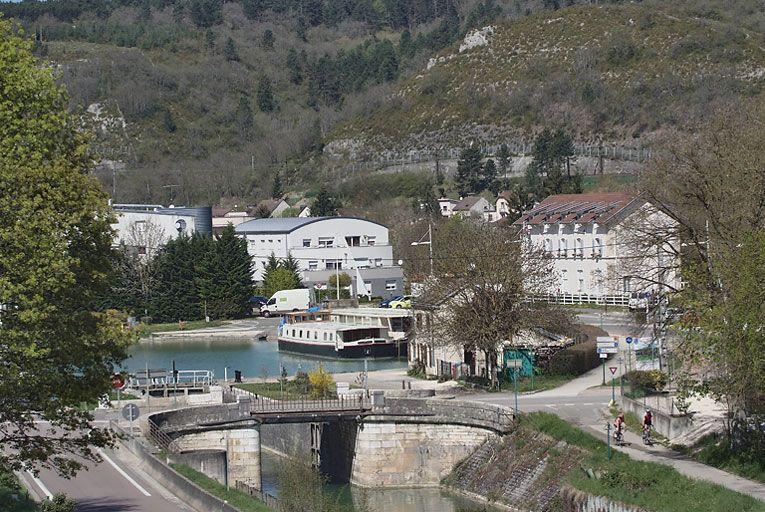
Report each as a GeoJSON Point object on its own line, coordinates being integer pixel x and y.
{"type": "Point", "coordinates": [613, 73]}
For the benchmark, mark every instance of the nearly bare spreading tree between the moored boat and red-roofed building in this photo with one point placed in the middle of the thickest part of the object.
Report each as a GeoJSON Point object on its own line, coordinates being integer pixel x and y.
{"type": "Point", "coordinates": [483, 278]}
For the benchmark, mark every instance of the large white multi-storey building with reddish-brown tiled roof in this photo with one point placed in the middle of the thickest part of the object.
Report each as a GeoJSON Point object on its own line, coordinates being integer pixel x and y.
{"type": "Point", "coordinates": [594, 243]}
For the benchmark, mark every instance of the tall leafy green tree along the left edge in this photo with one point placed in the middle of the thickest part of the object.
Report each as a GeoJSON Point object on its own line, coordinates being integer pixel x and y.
{"type": "Point", "coordinates": [55, 255]}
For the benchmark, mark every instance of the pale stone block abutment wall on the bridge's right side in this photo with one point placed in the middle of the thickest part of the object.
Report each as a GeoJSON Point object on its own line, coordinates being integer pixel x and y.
{"type": "Point", "coordinates": [392, 454]}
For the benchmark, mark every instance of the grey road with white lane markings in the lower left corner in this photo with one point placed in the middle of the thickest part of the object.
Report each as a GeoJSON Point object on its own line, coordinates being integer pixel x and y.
{"type": "Point", "coordinates": [117, 484]}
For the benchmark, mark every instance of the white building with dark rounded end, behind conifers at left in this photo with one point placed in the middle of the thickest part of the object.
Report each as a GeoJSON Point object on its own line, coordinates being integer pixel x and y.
{"type": "Point", "coordinates": [145, 228]}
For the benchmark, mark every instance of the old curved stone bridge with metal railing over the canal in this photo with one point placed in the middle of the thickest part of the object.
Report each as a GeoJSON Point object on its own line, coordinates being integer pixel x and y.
{"type": "Point", "coordinates": [382, 442]}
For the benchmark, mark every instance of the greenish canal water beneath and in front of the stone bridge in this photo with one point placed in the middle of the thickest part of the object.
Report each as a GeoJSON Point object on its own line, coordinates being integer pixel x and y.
{"type": "Point", "coordinates": [381, 500]}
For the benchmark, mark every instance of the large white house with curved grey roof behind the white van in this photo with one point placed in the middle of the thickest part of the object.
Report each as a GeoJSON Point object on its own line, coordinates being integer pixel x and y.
{"type": "Point", "coordinates": [323, 245]}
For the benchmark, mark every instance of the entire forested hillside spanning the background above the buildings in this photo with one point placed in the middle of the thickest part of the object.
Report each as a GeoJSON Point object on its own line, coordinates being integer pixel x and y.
{"type": "Point", "coordinates": [198, 100]}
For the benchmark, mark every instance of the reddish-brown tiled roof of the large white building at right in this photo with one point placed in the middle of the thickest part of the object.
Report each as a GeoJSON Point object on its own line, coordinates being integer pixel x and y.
{"type": "Point", "coordinates": [600, 207]}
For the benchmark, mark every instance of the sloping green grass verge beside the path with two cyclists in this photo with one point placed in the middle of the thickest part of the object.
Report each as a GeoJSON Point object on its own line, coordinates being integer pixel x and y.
{"type": "Point", "coordinates": [646, 484]}
